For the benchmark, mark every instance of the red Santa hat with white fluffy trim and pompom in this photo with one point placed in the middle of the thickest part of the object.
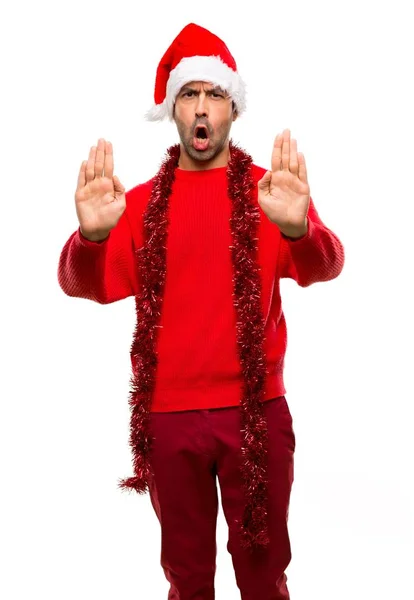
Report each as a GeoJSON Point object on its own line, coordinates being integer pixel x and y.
{"type": "Point", "coordinates": [196, 54]}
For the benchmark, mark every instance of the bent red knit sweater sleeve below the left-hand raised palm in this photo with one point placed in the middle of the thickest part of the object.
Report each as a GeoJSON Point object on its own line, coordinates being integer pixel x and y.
{"type": "Point", "coordinates": [103, 271]}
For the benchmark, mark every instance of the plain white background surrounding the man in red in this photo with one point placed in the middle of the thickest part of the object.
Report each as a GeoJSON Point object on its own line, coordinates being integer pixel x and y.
{"type": "Point", "coordinates": [339, 75]}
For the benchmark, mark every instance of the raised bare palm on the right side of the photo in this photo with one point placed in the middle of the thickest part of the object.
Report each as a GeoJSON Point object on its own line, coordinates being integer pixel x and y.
{"type": "Point", "coordinates": [283, 192]}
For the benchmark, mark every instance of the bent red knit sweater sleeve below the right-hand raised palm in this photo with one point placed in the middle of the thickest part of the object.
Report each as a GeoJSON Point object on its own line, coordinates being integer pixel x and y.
{"type": "Point", "coordinates": [317, 256]}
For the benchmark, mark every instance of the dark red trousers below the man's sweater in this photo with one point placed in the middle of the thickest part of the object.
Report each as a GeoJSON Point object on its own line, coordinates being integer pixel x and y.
{"type": "Point", "coordinates": [191, 450]}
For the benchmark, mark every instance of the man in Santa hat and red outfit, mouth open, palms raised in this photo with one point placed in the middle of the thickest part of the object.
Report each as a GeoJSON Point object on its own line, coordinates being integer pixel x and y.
{"type": "Point", "coordinates": [202, 247]}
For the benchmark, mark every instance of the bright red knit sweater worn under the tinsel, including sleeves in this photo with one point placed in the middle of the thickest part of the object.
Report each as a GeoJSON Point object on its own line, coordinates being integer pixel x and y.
{"type": "Point", "coordinates": [198, 364]}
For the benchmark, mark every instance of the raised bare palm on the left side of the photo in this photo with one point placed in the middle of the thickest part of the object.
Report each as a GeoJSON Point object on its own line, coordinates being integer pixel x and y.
{"type": "Point", "coordinates": [100, 196]}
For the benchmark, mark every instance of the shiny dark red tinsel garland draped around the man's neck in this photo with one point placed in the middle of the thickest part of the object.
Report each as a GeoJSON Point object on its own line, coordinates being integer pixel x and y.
{"type": "Point", "coordinates": [151, 263]}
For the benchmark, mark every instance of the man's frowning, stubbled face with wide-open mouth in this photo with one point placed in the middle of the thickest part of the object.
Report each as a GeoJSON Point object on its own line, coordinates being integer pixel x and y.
{"type": "Point", "coordinates": [203, 114]}
